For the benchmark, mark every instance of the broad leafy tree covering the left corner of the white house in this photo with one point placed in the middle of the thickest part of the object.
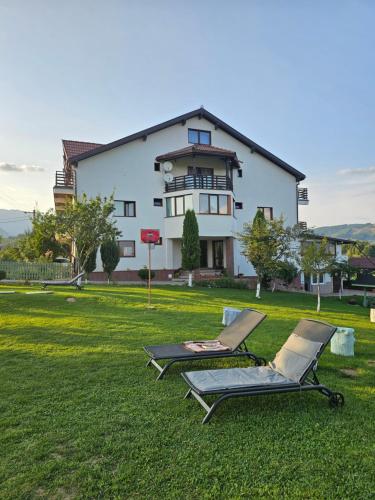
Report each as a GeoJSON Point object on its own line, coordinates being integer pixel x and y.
{"type": "Point", "coordinates": [87, 223]}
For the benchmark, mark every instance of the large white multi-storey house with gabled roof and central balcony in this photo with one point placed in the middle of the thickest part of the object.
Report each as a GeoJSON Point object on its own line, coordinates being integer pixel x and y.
{"type": "Point", "coordinates": [193, 161]}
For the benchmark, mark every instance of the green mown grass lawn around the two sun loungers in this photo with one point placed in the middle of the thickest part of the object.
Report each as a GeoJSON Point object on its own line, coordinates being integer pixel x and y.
{"type": "Point", "coordinates": [81, 416]}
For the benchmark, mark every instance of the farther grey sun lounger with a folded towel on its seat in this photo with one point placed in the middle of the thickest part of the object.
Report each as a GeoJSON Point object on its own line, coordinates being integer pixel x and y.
{"type": "Point", "coordinates": [233, 336]}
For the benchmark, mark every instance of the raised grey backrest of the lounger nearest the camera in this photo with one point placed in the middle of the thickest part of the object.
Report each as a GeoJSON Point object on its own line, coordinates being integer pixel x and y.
{"type": "Point", "coordinates": [295, 357]}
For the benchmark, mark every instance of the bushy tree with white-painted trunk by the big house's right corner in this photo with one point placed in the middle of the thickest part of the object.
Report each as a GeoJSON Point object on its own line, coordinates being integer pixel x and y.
{"type": "Point", "coordinates": [265, 243]}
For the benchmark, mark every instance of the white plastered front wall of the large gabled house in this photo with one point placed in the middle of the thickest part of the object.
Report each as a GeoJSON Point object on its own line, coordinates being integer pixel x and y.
{"type": "Point", "coordinates": [128, 172]}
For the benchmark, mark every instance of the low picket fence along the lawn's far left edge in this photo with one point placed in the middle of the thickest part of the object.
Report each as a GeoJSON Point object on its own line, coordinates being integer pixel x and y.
{"type": "Point", "coordinates": [36, 270]}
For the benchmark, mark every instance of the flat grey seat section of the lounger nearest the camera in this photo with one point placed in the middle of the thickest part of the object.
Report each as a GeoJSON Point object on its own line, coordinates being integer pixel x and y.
{"type": "Point", "coordinates": [235, 378]}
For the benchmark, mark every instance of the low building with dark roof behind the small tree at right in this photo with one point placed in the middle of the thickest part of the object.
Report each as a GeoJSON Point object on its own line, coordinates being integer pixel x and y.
{"type": "Point", "coordinates": [328, 284]}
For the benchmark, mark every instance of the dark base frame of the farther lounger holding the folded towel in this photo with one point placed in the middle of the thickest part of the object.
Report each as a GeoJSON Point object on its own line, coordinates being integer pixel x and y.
{"type": "Point", "coordinates": [241, 351]}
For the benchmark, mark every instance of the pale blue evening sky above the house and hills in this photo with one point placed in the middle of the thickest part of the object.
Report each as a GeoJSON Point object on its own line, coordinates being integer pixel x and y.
{"type": "Point", "coordinates": [296, 76]}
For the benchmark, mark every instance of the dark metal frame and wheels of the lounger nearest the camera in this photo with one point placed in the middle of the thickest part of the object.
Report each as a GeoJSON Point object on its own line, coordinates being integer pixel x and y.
{"type": "Point", "coordinates": [309, 382]}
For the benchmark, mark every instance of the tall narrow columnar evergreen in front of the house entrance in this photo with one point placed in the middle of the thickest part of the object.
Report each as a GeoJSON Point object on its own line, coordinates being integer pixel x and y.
{"type": "Point", "coordinates": [190, 248]}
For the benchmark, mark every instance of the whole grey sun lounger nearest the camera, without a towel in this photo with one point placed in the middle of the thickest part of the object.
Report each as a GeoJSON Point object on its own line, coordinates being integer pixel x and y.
{"type": "Point", "coordinates": [293, 370]}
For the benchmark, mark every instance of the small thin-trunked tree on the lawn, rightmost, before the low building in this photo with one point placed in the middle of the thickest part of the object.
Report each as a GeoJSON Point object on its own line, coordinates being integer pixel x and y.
{"type": "Point", "coordinates": [316, 258]}
